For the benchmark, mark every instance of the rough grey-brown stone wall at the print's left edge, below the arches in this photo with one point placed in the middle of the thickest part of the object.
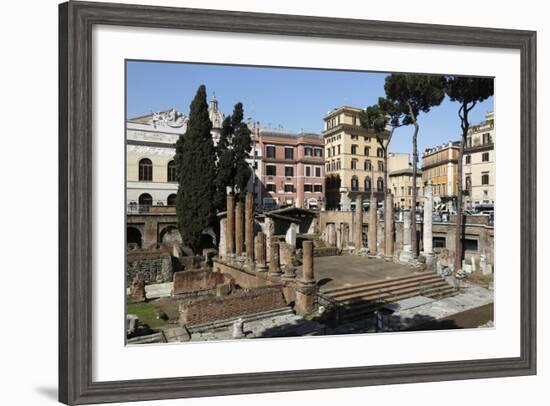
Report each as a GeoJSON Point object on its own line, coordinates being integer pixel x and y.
{"type": "Point", "coordinates": [156, 266]}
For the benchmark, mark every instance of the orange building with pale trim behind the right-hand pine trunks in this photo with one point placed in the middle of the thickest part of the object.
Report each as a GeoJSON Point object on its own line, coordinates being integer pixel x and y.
{"type": "Point", "coordinates": [440, 166]}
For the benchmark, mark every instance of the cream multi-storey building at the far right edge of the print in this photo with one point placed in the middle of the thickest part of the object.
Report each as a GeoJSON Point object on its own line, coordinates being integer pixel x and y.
{"type": "Point", "coordinates": [479, 163]}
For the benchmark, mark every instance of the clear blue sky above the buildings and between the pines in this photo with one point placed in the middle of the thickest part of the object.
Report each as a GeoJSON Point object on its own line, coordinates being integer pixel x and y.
{"type": "Point", "coordinates": [295, 99]}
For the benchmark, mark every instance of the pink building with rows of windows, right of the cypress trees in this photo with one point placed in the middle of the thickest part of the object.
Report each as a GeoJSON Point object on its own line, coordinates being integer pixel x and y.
{"type": "Point", "coordinates": [292, 170]}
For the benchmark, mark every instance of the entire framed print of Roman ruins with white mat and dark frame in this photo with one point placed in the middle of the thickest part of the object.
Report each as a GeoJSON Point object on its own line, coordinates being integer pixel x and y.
{"type": "Point", "coordinates": [258, 202]}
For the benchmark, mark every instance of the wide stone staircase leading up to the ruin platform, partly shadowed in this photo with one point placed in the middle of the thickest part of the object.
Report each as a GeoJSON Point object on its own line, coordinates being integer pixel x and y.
{"type": "Point", "coordinates": [352, 303]}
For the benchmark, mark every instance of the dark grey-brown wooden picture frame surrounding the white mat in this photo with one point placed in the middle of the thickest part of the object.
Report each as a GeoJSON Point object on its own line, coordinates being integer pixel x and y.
{"type": "Point", "coordinates": [76, 20]}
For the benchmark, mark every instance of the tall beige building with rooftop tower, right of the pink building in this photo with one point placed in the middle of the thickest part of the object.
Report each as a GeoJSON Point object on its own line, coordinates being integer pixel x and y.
{"type": "Point", "coordinates": [354, 161]}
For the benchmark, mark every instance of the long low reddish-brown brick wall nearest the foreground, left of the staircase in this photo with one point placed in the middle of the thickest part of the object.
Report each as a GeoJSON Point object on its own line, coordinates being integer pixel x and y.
{"type": "Point", "coordinates": [240, 303]}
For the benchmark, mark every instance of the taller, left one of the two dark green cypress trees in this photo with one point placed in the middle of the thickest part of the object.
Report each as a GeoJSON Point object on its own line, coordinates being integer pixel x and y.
{"type": "Point", "coordinates": [196, 168]}
